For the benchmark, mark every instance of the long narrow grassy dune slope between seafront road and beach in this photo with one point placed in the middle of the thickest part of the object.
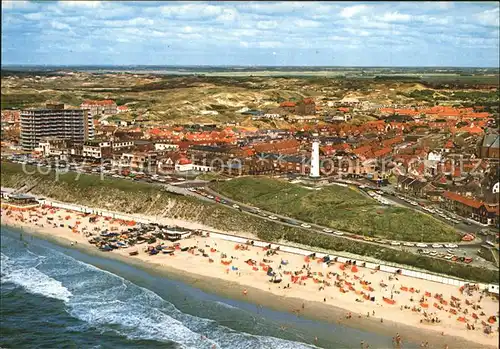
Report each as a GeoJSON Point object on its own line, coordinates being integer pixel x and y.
{"type": "Point", "coordinates": [142, 198]}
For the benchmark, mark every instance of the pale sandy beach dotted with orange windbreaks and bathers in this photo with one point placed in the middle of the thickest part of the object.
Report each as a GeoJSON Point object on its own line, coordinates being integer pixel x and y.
{"type": "Point", "coordinates": [423, 311]}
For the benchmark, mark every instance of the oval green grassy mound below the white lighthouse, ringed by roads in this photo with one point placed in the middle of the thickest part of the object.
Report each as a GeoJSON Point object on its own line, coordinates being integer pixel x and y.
{"type": "Point", "coordinates": [337, 207]}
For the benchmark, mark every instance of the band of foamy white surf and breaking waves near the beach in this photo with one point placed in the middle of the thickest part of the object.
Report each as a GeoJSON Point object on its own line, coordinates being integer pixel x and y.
{"type": "Point", "coordinates": [112, 303]}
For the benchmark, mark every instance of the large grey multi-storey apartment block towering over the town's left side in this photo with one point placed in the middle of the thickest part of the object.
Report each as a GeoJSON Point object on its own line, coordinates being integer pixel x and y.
{"type": "Point", "coordinates": [37, 124]}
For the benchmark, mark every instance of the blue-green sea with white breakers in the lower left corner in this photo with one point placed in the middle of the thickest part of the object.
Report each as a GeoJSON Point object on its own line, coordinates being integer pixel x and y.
{"type": "Point", "coordinates": [58, 297]}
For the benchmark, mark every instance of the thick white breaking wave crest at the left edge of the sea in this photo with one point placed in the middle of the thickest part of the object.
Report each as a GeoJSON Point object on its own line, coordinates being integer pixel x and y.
{"type": "Point", "coordinates": [32, 280]}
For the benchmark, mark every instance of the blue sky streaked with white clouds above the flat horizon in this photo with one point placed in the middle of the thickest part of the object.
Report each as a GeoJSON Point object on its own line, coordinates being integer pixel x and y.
{"type": "Point", "coordinates": [251, 33]}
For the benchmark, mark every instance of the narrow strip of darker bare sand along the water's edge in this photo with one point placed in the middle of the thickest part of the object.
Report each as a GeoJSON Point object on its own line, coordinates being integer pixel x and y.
{"type": "Point", "coordinates": [313, 310]}
